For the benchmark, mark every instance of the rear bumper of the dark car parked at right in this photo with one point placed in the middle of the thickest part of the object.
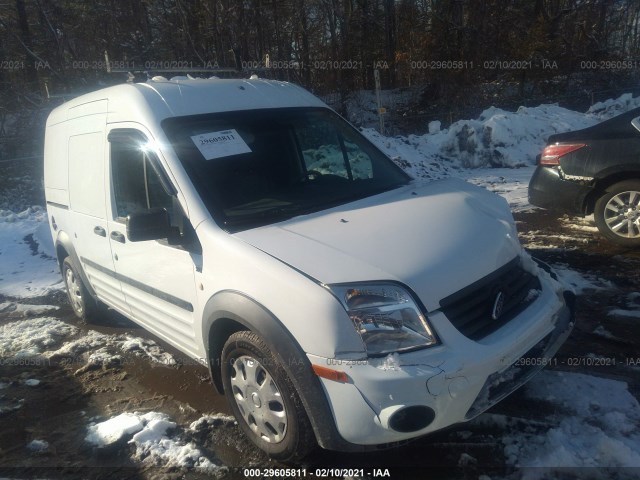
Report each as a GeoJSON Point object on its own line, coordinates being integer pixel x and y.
{"type": "Point", "coordinates": [547, 189]}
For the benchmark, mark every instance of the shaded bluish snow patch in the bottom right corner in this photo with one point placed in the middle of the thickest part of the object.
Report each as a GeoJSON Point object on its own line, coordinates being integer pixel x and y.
{"type": "Point", "coordinates": [596, 424]}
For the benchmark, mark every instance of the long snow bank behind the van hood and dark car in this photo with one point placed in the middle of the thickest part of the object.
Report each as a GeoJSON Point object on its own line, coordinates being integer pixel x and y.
{"type": "Point", "coordinates": [497, 138]}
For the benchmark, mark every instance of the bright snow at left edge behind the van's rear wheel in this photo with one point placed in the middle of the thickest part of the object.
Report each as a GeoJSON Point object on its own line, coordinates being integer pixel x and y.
{"type": "Point", "coordinates": [29, 267]}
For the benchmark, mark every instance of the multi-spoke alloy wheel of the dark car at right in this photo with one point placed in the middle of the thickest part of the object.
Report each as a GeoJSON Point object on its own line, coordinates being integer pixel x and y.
{"type": "Point", "coordinates": [617, 213]}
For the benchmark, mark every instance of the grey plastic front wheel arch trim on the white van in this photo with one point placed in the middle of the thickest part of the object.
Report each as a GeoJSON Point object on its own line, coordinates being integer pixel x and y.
{"type": "Point", "coordinates": [230, 311]}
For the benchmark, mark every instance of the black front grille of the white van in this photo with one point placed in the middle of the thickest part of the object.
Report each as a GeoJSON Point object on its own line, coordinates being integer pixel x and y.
{"type": "Point", "coordinates": [472, 309]}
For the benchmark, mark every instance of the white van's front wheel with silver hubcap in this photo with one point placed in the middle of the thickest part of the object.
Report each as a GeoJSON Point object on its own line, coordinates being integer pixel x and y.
{"type": "Point", "coordinates": [263, 399]}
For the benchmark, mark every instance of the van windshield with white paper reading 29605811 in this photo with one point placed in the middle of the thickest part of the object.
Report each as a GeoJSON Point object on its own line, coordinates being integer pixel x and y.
{"type": "Point", "coordinates": [258, 167]}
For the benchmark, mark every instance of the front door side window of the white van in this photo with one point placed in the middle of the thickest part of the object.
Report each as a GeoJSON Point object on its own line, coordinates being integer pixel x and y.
{"type": "Point", "coordinates": [136, 185]}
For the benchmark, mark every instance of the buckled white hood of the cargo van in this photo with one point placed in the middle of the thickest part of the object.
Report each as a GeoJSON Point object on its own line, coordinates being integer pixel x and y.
{"type": "Point", "coordinates": [436, 238]}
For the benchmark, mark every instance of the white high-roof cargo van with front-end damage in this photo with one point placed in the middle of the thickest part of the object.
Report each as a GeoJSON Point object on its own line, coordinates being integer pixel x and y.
{"type": "Point", "coordinates": [335, 300]}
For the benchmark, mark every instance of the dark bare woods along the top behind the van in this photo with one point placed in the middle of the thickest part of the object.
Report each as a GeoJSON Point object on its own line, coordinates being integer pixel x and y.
{"type": "Point", "coordinates": [328, 46]}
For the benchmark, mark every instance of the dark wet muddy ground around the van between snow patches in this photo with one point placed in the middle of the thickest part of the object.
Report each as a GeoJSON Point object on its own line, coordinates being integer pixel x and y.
{"type": "Point", "coordinates": [60, 407]}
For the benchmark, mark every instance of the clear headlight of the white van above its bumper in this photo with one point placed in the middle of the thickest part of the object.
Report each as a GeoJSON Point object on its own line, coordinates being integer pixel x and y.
{"type": "Point", "coordinates": [386, 317]}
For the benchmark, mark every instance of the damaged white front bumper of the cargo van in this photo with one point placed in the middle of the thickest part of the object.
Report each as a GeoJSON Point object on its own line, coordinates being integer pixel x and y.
{"type": "Point", "coordinates": [453, 382]}
